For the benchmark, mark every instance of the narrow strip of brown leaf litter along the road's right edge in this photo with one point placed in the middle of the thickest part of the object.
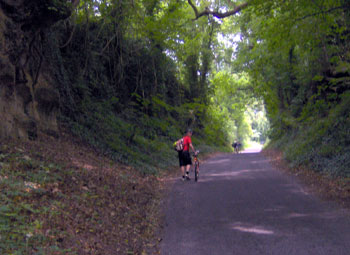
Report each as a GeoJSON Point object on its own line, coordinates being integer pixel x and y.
{"type": "Point", "coordinates": [336, 189]}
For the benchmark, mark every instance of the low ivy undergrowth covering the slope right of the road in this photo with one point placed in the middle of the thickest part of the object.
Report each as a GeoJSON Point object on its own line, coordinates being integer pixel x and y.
{"type": "Point", "coordinates": [322, 143]}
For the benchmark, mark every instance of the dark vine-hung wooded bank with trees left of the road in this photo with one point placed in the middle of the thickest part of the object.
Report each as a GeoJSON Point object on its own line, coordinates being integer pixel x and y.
{"type": "Point", "coordinates": [133, 90]}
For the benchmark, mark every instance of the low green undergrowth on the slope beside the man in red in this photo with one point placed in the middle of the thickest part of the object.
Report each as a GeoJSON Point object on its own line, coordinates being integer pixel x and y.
{"type": "Point", "coordinates": [136, 139]}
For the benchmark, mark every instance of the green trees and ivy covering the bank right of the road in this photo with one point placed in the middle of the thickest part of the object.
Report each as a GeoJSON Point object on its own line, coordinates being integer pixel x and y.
{"type": "Point", "coordinates": [297, 57]}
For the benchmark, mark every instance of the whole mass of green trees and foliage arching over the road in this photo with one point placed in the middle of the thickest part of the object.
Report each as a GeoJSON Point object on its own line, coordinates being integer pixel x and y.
{"type": "Point", "coordinates": [151, 68]}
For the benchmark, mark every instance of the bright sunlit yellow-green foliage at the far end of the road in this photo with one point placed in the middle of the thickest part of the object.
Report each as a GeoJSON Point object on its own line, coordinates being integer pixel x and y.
{"type": "Point", "coordinates": [232, 110]}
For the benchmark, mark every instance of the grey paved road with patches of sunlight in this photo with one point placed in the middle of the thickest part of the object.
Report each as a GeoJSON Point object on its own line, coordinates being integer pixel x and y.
{"type": "Point", "coordinates": [243, 206]}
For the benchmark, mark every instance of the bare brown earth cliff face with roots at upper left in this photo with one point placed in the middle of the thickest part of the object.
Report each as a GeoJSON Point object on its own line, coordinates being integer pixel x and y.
{"type": "Point", "coordinates": [29, 99]}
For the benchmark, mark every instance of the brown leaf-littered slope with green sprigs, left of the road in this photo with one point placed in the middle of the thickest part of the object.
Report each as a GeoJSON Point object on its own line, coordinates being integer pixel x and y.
{"type": "Point", "coordinates": [79, 202]}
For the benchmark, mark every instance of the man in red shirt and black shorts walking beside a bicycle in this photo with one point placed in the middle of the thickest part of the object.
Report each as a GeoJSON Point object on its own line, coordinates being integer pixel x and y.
{"type": "Point", "coordinates": [184, 155]}
